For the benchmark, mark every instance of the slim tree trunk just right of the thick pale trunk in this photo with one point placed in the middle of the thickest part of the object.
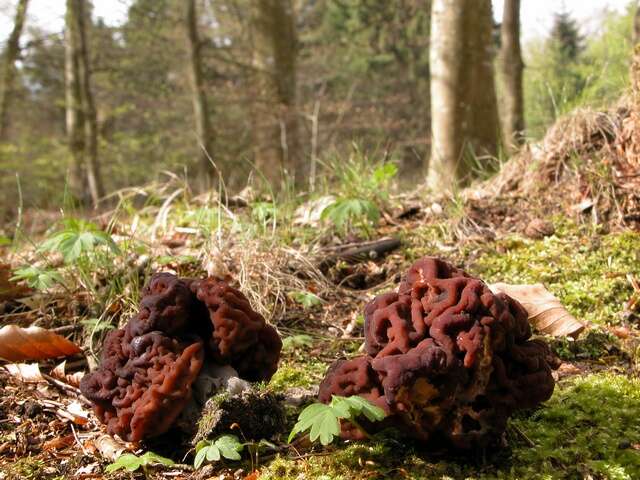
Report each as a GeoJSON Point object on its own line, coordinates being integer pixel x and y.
{"type": "Point", "coordinates": [511, 69]}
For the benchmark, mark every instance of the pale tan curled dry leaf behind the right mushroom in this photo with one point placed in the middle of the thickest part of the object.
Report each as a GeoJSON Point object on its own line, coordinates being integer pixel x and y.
{"type": "Point", "coordinates": [546, 313]}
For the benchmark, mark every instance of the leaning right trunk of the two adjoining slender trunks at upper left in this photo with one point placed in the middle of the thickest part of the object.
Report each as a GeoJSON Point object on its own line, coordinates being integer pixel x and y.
{"type": "Point", "coordinates": [94, 179]}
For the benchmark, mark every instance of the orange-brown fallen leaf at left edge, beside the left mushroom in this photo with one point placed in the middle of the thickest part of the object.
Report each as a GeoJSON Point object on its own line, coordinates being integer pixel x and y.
{"type": "Point", "coordinates": [33, 343]}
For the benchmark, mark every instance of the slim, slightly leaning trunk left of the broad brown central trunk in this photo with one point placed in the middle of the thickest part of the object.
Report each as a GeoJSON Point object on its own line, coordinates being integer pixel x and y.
{"type": "Point", "coordinates": [199, 97]}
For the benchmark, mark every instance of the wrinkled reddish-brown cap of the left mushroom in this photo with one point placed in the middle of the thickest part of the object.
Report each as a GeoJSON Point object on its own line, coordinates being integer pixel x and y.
{"type": "Point", "coordinates": [147, 368]}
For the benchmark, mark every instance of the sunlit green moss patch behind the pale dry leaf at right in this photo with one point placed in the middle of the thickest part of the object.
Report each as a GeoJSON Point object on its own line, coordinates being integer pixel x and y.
{"type": "Point", "coordinates": [585, 270]}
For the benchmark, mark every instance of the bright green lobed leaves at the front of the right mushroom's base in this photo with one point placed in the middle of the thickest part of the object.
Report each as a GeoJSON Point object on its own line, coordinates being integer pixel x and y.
{"type": "Point", "coordinates": [323, 421]}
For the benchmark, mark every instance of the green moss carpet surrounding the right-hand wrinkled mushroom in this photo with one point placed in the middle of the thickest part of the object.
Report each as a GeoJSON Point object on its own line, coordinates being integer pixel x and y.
{"type": "Point", "coordinates": [590, 429]}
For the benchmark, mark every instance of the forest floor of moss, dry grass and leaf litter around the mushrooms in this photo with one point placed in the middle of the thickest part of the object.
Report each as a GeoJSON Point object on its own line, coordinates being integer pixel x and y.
{"type": "Point", "coordinates": [568, 219]}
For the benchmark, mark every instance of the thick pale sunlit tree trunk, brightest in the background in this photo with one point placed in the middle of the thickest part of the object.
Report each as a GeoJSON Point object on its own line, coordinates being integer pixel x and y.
{"type": "Point", "coordinates": [464, 113]}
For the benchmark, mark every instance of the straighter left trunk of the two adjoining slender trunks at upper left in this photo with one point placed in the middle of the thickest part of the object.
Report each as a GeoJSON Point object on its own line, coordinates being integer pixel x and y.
{"type": "Point", "coordinates": [74, 111]}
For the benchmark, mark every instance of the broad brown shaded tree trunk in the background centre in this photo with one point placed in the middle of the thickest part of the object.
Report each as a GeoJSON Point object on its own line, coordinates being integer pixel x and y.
{"type": "Point", "coordinates": [277, 149]}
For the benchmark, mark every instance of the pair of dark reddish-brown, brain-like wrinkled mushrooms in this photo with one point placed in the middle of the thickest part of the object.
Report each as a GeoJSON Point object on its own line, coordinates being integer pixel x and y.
{"type": "Point", "coordinates": [447, 360]}
